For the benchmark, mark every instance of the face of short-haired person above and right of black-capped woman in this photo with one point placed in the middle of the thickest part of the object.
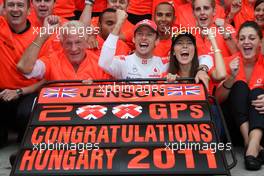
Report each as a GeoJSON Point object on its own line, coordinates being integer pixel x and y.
{"type": "Point", "coordinates": [204, 12]}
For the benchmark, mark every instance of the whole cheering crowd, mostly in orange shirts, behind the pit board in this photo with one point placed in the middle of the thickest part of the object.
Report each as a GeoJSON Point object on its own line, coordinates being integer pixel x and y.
{"type": "Point", "coordinates": [218, 42]}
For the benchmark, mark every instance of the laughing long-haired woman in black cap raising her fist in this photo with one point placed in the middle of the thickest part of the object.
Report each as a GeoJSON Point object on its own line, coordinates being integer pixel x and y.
{"type": "Point", "coordinates": [184, 60]}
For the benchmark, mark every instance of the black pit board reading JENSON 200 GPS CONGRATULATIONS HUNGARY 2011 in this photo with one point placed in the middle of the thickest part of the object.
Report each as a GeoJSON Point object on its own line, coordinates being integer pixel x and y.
{"type": "Point", "coordinates": [80, 130]}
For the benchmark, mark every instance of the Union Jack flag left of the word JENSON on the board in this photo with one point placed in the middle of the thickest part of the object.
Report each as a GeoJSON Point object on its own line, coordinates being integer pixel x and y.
{"type": "Point", "coordinates": [60, 92]}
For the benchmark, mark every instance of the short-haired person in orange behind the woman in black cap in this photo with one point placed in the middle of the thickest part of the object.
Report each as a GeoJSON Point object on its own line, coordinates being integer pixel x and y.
{"type": "Point", "coordinates": [204, 11]}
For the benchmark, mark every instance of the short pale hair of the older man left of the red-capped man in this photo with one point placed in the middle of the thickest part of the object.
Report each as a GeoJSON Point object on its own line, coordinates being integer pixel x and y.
{"type": "Point", "coordinates": [72, 27]}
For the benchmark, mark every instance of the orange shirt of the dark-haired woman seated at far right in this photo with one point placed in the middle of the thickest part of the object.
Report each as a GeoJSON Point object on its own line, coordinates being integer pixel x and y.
{"type": "Point", "coordinates": [257, 76]}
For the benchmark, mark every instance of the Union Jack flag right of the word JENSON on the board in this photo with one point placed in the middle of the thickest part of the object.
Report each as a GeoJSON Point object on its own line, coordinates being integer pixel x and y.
{"type": "Point", "coordinates": [183, 90]}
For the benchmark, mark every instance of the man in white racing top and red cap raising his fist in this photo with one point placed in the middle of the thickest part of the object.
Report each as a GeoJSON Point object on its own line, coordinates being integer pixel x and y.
{"type": "Point", "coordinates": [141, 64]}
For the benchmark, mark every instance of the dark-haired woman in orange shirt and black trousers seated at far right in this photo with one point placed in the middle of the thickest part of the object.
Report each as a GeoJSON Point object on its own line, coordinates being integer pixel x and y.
{"type": "Point", "coordinates": [243, 91]}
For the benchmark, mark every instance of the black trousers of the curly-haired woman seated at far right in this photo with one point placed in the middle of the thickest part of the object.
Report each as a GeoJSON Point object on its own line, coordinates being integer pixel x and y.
{"type": "Point", "coordinates": [238, 109]}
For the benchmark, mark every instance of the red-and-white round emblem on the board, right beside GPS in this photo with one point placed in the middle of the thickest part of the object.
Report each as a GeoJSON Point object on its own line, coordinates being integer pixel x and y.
{"type": "Point", "coordinates": [127, 111]}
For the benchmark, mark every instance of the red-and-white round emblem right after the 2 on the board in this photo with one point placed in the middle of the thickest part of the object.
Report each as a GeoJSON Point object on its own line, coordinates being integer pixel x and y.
{"type": "Point", "coordinates": [90, 112]}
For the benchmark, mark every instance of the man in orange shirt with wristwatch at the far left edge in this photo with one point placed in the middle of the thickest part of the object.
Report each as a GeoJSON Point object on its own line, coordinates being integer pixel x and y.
{"type": "Point", "coordinates": [15, 36]}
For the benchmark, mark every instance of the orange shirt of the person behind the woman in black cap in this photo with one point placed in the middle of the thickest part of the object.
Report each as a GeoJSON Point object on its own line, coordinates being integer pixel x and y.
{"type": "Point", "coordinates": [204, 45]}
